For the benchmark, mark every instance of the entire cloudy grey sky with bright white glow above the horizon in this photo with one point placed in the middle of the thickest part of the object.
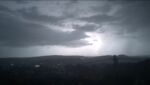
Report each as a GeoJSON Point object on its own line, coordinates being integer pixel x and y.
{"type": "Point", "coordinates": [74, 27]}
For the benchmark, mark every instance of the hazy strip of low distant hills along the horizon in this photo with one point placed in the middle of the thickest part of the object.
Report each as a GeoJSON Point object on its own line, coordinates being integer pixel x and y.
{"type": "Point", "coordinates": [72, 59]}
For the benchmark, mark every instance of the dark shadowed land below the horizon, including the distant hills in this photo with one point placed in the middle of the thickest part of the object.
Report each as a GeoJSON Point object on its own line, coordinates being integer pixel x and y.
{"type": "Point", "coordinates": [75, 70]}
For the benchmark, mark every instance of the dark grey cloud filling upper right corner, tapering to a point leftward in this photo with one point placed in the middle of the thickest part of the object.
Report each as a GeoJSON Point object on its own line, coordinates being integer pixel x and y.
{"type": "Point", "coordinates": [133, 16]}
